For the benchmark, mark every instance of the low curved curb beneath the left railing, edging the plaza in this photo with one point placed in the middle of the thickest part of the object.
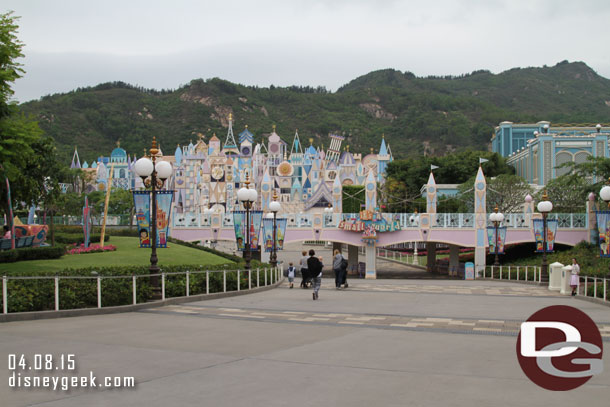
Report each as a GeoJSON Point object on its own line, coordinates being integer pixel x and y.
{"type": "Point", "coordinates": [80, 312]}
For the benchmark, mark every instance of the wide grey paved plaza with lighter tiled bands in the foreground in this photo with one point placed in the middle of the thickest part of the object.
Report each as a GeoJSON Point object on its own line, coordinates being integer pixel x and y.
{"type": "Point", "coordinates": [380, 342]}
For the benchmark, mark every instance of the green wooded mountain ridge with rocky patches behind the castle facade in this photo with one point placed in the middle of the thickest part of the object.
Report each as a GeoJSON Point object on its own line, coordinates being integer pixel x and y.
{"type": "Point", "coordinates": [432, 114]}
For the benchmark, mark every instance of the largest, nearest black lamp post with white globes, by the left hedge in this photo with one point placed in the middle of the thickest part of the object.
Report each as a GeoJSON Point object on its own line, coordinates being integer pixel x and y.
{"type": "Point", "coordinates": [153, 176]}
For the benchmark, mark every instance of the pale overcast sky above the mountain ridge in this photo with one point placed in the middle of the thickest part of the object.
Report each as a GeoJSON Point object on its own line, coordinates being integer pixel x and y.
{"type": "Point", "coordinates": [165, 44]}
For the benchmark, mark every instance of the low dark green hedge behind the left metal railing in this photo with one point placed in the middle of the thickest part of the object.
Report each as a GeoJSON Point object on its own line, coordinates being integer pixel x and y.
{"type": "Point", "coordinates": [38, 295]}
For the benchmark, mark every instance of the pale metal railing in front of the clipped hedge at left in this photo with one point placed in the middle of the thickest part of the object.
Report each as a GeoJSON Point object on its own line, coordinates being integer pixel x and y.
{"type": "Point", "coordinates": [261, 277]}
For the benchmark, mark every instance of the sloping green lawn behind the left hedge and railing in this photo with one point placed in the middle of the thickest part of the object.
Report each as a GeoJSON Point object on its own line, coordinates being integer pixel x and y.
{"type": "Point", "coordinates": [128, 253]}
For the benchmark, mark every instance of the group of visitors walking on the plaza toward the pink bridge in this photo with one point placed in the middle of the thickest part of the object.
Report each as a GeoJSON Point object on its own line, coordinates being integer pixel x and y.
{"type": "Point", "coordinates": [311, 271]}
